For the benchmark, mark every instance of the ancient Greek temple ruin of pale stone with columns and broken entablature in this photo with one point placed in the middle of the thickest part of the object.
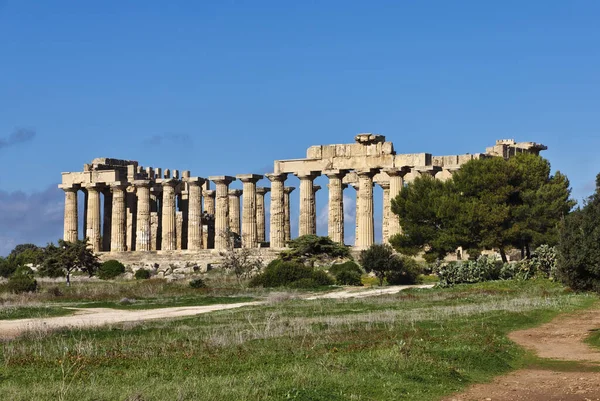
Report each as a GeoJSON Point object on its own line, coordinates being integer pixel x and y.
{"type": "Point", "coordinates": [135, 209]}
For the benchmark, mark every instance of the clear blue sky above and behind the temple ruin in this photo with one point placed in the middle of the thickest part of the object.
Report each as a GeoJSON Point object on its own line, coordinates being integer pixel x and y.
{"type": "Point", "coordinates": [227, 87]}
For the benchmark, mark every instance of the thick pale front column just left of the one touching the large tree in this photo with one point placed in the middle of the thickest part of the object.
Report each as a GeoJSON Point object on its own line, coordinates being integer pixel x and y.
{"type": "Point", "coordinates": [366, 233]}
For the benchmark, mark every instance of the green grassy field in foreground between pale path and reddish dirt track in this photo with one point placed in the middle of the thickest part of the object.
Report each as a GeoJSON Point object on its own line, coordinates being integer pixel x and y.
{"type": "Point", "coordinates": [416, 345]}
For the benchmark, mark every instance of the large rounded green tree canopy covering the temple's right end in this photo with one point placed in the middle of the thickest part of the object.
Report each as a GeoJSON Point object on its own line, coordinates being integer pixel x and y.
{"type": "Point", "coordinates": [490, 203]}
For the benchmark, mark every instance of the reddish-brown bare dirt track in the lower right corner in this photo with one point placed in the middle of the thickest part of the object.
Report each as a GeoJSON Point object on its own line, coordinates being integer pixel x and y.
{"type": "Point", "coordinates": [561, 339]}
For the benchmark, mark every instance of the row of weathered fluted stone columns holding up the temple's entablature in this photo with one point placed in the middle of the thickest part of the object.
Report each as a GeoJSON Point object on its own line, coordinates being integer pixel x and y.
{"type": "Point", "coordinates": [224, 205]}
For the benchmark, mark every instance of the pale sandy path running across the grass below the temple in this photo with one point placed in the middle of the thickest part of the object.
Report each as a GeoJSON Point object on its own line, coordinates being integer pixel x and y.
{"type": "Point", "coordinates": [94, 317]}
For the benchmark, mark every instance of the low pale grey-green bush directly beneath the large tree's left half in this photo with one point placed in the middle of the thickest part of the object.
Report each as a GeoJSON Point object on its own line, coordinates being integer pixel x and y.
{"type": "Point", "coordinates": [485, 268]}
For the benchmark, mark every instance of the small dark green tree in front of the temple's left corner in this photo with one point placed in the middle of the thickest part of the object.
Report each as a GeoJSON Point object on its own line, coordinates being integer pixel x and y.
{"type": "Point", "coordinates": [68, 257]}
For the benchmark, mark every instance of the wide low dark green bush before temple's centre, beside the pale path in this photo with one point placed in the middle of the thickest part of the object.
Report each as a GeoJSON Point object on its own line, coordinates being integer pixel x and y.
{"type": "Point", "coordinates": [292, 274]}
